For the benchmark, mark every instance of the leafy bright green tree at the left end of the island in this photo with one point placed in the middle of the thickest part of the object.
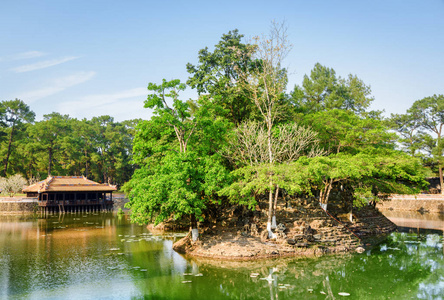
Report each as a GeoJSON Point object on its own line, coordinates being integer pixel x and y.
{"type": "Point", "coordinates": [180, 172]}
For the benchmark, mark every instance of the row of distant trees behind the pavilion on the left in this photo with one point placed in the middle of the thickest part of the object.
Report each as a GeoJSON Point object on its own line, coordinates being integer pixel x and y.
{"type": "Point", "coordinates": [99, 148]}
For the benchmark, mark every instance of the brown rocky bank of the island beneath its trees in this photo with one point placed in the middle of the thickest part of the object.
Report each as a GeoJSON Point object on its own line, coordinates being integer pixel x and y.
{"type": "Point", "coordinates": [303, 232]}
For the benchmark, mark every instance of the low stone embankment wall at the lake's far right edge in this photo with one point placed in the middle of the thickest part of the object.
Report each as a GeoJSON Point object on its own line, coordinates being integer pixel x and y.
{"type": "Point", "coordinates": [433, 203]}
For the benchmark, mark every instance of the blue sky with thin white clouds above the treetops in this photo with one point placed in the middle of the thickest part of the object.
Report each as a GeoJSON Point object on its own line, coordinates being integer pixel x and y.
{"type": "Point", "coordinates": [90, 58]}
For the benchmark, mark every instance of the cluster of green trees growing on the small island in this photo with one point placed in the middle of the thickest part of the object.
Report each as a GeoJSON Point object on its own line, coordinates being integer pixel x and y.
{"type": "Point", "coordinates": [246, 139]}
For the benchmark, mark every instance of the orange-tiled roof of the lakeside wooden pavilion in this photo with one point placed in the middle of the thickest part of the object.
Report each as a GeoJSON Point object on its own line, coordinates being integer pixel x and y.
{"type": "Point", "coordinates": [68, 184]}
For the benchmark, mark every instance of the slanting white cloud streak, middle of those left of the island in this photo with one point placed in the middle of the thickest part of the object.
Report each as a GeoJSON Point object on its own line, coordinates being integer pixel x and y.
{"type": "Point", "coordinates": [56, 86]}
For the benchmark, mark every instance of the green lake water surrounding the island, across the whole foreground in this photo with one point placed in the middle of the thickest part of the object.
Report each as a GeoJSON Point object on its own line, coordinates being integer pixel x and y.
{"type": "Point", "coordinates": [104, 256]}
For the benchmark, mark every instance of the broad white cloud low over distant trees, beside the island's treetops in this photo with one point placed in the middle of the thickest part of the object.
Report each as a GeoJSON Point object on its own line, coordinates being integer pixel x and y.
{"type": "Point", "coordinates": [122, 105]}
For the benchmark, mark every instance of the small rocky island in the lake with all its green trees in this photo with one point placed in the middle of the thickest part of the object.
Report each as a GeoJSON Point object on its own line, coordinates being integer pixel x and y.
{"type": "Point", "coordinates": [255, 172]}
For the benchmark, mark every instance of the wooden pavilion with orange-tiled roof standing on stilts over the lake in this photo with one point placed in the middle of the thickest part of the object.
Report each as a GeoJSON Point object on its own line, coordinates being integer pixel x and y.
{"type": "Point", "coordinates": [71, 193]}
